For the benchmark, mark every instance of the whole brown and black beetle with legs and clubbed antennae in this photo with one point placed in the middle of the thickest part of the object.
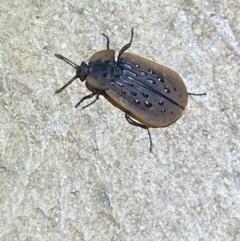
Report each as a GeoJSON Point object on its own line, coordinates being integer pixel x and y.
{"type": "Point", "coordinates": [150, 94]}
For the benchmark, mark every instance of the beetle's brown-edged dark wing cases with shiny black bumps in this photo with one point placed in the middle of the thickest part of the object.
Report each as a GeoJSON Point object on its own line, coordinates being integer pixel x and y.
{"type": "Point", "coordinates": [153, 93]}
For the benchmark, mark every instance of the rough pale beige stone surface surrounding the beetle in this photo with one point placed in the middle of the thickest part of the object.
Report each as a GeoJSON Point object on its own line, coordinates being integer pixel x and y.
{"type": "Point", "coordinates": [72, 174]}
